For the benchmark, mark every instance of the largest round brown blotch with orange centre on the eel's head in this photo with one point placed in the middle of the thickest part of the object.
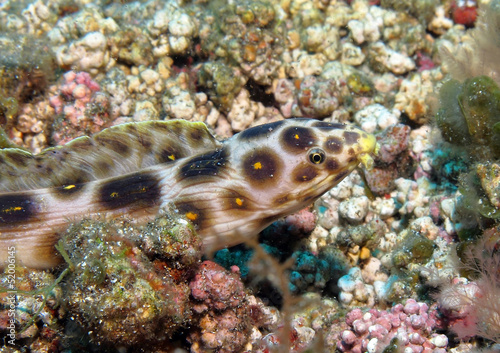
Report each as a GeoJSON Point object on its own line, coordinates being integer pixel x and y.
{"type": "Point", "coordinates": [262, 167]}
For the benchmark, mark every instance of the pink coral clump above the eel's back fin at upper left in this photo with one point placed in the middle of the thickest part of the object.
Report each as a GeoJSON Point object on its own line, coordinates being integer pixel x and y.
{"type": "Point", "coordinates": [81, 108]}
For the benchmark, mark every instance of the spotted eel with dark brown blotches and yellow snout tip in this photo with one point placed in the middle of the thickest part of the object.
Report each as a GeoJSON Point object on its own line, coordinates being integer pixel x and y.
{"type": "Point", "coordinates": [229, 189]}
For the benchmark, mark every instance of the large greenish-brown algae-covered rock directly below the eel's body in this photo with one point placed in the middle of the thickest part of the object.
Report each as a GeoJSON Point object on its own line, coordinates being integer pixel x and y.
{"type": "Point", "coordinates": [128, 284]}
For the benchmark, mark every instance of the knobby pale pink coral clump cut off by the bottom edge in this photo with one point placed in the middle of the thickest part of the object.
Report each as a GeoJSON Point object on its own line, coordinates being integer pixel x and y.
{"type": "Point", "coordinates": [411, 324]}
